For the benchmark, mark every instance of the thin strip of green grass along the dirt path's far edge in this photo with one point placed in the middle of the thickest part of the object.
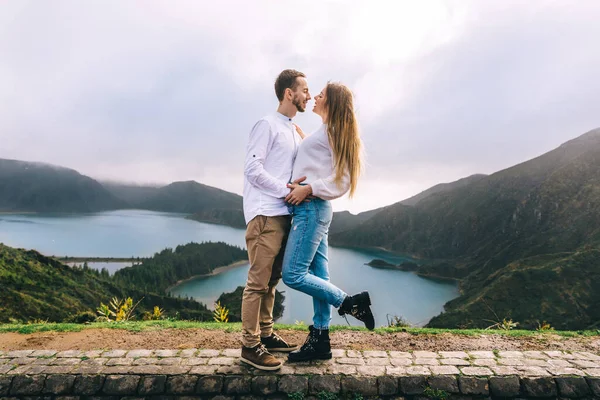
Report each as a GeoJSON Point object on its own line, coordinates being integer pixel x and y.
{"type": "Point", "coordinates": [139, 326]}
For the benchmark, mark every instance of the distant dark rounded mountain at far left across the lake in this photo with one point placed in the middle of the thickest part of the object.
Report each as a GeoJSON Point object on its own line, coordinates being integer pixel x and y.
{"type": "Point", "coordinates": [27, 186]}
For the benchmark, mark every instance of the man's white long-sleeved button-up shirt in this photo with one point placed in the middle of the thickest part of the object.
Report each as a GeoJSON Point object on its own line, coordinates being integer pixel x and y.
{"type": "Point", "coordinates": [270, 158]}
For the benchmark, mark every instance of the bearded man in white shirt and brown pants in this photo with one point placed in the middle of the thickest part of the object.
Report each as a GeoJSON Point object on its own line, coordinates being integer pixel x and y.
{"type": "Point", "coordinates": [270, 155]}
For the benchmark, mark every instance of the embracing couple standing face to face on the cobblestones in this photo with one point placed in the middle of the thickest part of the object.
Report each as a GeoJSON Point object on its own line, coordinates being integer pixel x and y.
{"type": "Point", "coordinates": [289, 181]}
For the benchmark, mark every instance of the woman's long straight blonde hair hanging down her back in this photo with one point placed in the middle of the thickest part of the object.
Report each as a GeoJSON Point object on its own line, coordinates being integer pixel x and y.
{"type": "Point", "coordinates": [343, 132]}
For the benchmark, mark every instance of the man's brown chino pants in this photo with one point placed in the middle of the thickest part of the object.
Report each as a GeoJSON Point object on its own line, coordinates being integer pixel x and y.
{"type": "Point", "coordinates": [266, 238]}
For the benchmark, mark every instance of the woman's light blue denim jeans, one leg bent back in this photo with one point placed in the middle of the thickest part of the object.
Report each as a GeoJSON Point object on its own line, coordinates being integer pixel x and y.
{"type": "Point", "coordinates": [305, 266]}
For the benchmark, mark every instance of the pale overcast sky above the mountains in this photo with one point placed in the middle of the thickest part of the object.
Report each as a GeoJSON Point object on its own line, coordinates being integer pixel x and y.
{"type": "Point", "coordinates": [151, 91]}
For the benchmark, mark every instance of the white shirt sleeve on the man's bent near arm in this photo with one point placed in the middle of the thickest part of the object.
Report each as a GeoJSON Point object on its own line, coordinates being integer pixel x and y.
{"type": "Point", "coordinates": [259, 144]}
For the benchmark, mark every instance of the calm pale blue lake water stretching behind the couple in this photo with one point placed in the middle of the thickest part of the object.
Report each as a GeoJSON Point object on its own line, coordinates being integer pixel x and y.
{"type": "Point", "coordinates": [136, 233]}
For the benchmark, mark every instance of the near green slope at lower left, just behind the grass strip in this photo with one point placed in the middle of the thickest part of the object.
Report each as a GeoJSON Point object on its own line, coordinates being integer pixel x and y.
{"type": "Point", "coordinates": [37, 287]}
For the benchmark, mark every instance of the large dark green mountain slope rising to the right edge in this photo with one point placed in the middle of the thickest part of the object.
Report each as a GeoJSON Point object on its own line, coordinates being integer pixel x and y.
{"type": "Point", "coordinates": [545, 206]}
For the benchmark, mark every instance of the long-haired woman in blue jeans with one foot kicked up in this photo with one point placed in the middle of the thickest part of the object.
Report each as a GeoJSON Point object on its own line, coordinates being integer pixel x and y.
{"type": "Point", "coordinates": [330, 160]}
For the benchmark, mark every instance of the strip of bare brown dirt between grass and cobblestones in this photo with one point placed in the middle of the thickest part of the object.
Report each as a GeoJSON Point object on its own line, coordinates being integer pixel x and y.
{"type": "Point", "coordinates": [91, 339]}
